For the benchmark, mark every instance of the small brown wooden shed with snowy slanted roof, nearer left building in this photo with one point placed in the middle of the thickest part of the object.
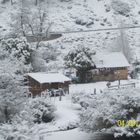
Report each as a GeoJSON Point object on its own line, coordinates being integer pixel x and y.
{"type": "Point", "coordinates": [39, 82]}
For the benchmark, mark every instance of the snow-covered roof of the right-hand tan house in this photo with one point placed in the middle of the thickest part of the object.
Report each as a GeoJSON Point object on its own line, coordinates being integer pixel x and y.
{"type": "Point", "coordinates": [110, 60]}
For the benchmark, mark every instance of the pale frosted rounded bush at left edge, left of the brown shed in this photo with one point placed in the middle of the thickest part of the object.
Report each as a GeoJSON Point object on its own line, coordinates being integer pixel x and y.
{"type": "Point", "coordinates": [11, 95]}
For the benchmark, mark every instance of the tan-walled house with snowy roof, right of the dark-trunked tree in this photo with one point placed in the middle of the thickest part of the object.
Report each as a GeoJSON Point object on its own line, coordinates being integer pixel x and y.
{"type": "Point", "coordinates": [108, 67]}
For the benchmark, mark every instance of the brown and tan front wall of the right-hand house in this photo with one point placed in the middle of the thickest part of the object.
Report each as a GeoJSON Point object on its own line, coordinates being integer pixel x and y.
{"type": "Point", "coordinates": [107, 74]}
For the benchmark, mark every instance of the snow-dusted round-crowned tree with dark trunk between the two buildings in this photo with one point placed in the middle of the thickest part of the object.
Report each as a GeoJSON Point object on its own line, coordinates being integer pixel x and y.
{"type": "Point", "coordinates": [80, 59]}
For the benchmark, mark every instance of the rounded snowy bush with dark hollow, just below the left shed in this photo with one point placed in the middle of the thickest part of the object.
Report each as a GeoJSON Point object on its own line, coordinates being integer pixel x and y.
{"type": "Point", "coordinates": [36, 110]}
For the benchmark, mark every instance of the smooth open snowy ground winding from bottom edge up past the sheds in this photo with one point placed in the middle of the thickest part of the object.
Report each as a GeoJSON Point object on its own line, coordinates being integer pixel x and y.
{"type": "Point", "coordinates": [67, 113]}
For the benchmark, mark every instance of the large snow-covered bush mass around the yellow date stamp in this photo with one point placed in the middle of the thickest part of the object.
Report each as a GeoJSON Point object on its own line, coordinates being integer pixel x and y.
{"type": "Point", "coordinates": [106, 109]}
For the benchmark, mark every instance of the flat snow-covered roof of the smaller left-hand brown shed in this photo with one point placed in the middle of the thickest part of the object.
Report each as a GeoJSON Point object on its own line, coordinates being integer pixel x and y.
{"type": "Point", "coordinates": [49, 77]}
